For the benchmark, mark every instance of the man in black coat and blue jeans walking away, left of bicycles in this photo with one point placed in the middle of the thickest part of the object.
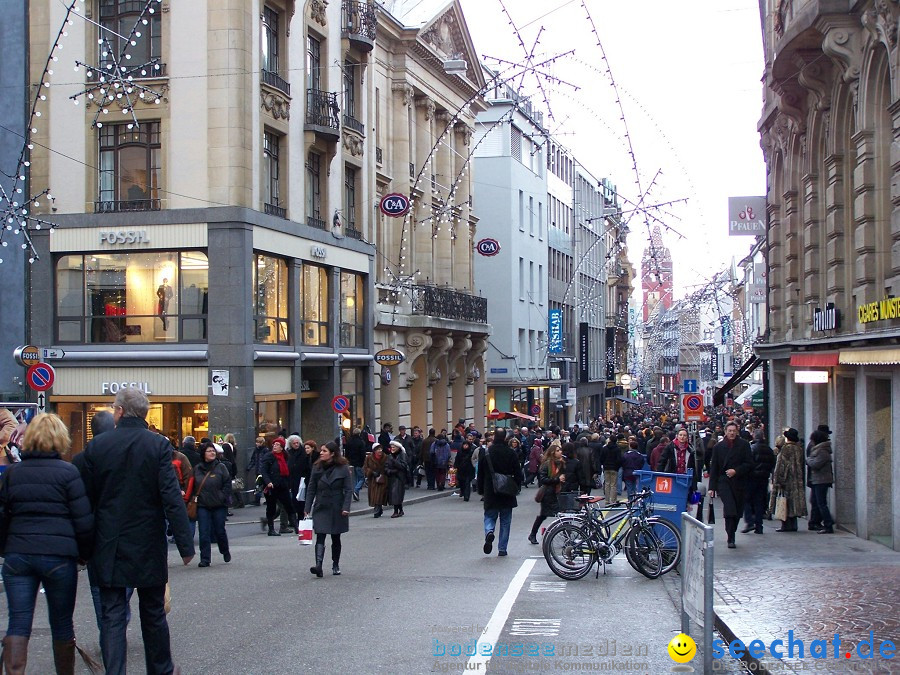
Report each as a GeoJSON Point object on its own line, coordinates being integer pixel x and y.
{"type": "Point", "coordinates": [503, 460]}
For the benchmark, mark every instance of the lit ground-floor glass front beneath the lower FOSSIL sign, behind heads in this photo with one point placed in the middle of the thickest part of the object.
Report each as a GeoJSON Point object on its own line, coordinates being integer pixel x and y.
{"type": "Point", "coordinates": [173, 420]}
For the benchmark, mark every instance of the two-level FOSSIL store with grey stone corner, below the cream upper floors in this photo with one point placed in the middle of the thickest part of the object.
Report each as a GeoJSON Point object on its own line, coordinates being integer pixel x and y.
{"type": "Point", "coordinates": [256, 337]}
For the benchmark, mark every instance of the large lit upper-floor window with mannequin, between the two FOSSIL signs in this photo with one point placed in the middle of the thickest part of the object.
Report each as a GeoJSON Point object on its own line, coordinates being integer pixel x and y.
{"type": "Point", "coordinates": [136, 297]}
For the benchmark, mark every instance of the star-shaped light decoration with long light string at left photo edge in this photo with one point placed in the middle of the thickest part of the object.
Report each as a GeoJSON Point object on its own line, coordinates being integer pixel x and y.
{"type": "Point", "coordinates": [16, 200]}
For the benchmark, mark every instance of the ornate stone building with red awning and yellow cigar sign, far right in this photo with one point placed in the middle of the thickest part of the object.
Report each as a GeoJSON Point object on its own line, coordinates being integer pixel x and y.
{"type": "Point", "coordinates": [829, 128]}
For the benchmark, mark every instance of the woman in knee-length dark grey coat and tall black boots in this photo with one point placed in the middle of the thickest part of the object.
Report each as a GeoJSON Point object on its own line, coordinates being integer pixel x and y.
{"type": "Point", "coordinates": [328, 498]}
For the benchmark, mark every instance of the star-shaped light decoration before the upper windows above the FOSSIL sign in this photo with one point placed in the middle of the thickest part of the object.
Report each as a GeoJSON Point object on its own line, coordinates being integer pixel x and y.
{"type": "Point", "coordinates": [113, 81]}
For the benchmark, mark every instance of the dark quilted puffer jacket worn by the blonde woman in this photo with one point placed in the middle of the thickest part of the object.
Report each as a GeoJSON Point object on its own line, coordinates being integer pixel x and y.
{"type": "Point", "coordinates": [47, 510]}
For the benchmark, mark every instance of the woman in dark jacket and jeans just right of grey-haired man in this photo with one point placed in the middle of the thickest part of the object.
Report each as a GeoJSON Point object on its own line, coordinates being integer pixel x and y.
{"type": "Point", "coordinates": [212, 487]}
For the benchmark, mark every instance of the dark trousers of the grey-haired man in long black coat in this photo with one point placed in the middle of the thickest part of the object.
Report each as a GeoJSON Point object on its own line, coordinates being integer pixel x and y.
{"type": "Point", "coordinates": [154, 630]}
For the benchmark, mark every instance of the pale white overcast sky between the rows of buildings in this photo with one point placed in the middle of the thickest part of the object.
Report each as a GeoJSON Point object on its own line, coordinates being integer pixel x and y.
{"type": "Point", "coordinates": [688, 77]}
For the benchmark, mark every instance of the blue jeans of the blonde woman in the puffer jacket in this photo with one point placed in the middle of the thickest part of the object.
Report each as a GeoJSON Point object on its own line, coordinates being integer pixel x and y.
{"type": "Point", "coordinates": [58, 574]}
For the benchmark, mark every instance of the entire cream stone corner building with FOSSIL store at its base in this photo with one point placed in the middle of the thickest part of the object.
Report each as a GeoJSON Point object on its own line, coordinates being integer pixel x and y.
{"type": "Point", "coordinates": [212, 246]}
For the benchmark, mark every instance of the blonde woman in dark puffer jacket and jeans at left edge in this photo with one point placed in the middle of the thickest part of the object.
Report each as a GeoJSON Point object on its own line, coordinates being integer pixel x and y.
{"type": "Point", "coordinates": [47, 528]}
